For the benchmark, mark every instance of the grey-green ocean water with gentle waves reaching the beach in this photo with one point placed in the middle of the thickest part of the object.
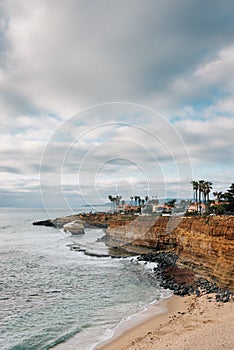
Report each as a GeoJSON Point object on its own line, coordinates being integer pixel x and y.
{"type": "Point", "coordinates": [49, 293]}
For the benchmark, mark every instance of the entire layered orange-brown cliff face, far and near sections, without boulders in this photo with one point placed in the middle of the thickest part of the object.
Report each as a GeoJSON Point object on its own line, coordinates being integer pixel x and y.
{"type": "Point", "coordinates": [205, 244]}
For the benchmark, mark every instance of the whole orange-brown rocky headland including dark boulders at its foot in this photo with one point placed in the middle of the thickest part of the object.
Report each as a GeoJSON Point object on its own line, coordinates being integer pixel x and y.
{"type": "Point", "coordinates": [203, 245]}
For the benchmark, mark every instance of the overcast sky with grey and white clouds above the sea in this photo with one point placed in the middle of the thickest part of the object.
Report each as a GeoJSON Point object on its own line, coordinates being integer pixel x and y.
{"type": "Point", "coordinates": [114, 97]}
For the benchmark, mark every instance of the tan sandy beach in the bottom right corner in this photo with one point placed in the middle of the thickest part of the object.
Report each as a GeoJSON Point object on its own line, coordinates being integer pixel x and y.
{"type": "Point", "coordinates": [190, 323]}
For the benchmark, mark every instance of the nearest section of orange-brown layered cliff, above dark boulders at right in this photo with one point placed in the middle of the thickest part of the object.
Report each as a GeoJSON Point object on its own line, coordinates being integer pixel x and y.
{"type": "Point", "coordinates": [207, 245]}
